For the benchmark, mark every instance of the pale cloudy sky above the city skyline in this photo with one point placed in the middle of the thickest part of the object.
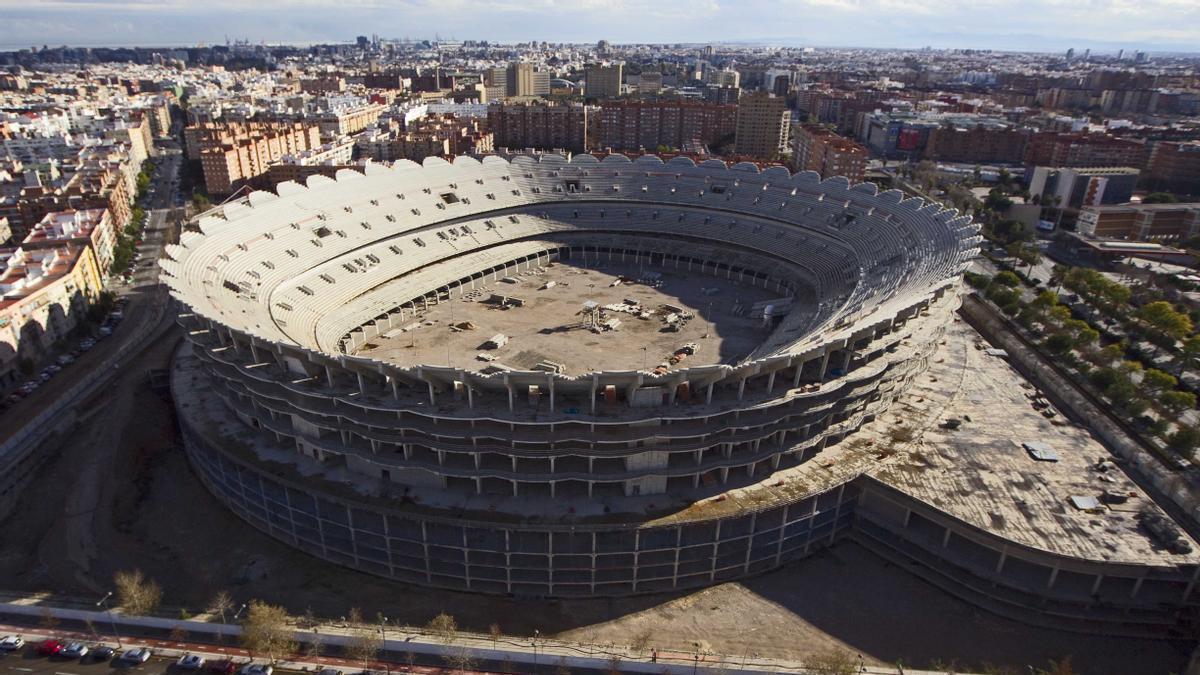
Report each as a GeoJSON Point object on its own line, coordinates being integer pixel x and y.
{"type": "Point", "coordinates": [1048, 26]}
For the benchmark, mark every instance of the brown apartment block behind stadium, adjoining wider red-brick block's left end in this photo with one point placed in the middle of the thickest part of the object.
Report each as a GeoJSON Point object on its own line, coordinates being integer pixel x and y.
{"type": "Point", "coordinates": [539, 126]}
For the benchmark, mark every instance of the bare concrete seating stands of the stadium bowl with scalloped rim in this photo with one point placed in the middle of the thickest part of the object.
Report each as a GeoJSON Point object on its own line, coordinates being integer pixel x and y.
{"type": "Point", "coordinates": [323, 266]}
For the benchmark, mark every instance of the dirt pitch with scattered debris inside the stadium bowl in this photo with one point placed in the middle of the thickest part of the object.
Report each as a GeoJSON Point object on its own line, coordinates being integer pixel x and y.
{"type": "Point", "coordinates": [549, 326]}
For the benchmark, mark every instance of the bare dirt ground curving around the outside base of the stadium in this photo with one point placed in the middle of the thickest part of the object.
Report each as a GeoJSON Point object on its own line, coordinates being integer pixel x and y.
{"type": "Point", "coordinates": [123, 497]}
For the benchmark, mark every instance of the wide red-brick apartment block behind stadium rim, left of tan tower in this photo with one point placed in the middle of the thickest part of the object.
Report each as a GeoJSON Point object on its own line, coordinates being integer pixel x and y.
{"type": "Point", "coordinates": [635, 126]}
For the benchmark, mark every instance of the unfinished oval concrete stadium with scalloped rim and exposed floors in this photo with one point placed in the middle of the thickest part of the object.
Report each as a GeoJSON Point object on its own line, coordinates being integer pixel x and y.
{"type": "Point", "coordinates": [551, 378]}
